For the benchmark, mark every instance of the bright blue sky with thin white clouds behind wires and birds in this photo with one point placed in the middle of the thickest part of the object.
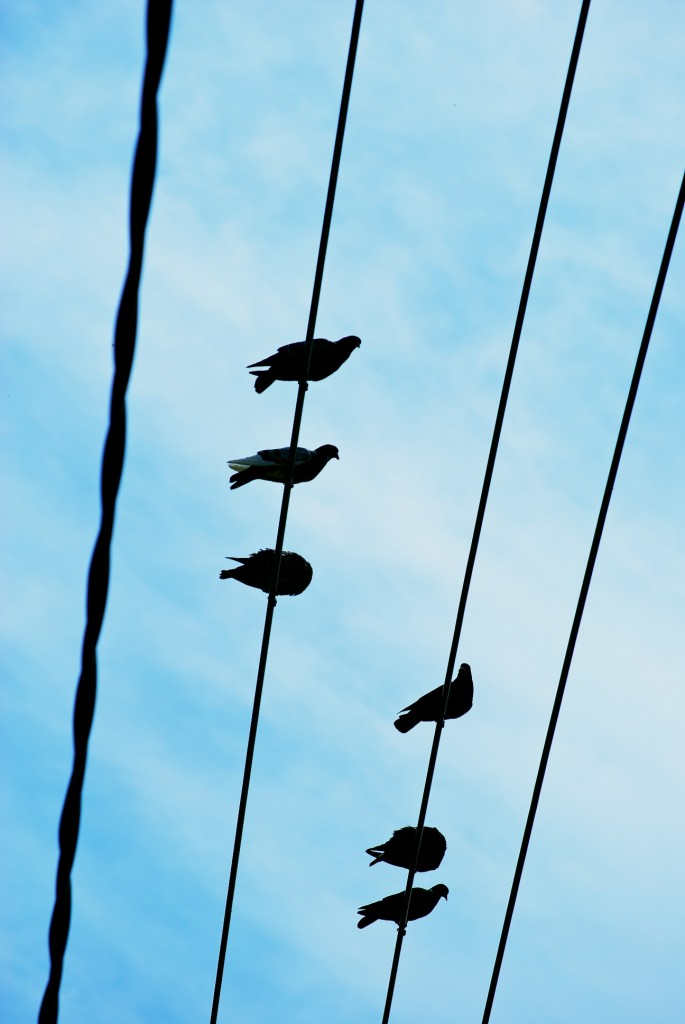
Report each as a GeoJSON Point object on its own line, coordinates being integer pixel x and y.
{"type": "Point", "coordinates": [452, 117]}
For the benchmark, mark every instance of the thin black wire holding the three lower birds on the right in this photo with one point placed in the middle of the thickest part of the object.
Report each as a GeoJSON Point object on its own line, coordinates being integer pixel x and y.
{"type": "Point", "coordinates": [547, 189]}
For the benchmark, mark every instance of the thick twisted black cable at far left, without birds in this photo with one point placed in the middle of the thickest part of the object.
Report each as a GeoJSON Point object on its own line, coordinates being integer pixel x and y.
{"type": "Point", "coordinates": [143, 180]}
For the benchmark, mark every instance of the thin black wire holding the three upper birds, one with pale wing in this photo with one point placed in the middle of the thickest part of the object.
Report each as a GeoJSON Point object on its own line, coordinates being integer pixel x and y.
{"type": "Point", "coordinates": [299, 406]}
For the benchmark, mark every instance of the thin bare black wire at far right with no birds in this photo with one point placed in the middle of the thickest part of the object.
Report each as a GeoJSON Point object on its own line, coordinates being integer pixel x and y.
{"type": "Point", "coordinates": [592, 559]}
